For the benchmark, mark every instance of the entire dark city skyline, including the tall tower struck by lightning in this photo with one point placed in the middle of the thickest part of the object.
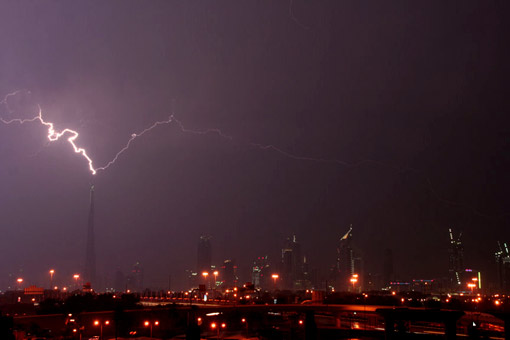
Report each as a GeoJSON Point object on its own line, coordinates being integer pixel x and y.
{"type": "Point", "coordinates": [291, 271]}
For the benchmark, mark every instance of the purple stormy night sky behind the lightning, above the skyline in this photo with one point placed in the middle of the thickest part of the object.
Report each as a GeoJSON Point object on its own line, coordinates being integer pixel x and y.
{"type": "Point", "coordinates": [418, 88]}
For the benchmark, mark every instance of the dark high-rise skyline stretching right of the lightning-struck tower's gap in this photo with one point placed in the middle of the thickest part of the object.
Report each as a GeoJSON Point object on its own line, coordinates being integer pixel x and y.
{"type": "Point", "coordinates": [292, 271]}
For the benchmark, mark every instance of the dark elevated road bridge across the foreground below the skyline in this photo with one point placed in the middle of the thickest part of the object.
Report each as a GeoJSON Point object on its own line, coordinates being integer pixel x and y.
{"type": "Point", "coordinates": [302, 321]}
